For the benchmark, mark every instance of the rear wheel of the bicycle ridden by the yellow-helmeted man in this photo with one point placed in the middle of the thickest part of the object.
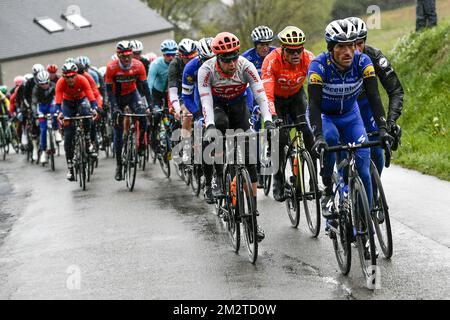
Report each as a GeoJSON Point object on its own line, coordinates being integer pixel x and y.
{"type": "Point", "coordinates": [290, 188]}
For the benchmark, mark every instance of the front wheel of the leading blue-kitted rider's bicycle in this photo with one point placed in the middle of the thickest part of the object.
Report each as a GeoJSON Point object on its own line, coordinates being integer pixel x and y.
{"type": "Point", "coordinates": [365, 240]}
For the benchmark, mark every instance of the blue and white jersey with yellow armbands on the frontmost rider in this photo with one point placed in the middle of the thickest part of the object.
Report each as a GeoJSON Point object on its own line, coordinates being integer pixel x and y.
{"type": "Point", "coordinates": [340, 89]}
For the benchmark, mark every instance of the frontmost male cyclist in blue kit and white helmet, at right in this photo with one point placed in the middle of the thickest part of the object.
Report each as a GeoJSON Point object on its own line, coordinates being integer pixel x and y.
{"type": "Point", "coordinates": [335, 80]}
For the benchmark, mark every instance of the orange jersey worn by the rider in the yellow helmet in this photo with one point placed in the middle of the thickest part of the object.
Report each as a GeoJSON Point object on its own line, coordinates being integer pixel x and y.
{"type": "Point", "coordinates": [281, 78]}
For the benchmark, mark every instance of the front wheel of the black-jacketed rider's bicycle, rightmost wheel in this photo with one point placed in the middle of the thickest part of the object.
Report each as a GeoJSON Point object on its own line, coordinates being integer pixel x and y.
{"type": "Point", "coordinates": [380, 214]}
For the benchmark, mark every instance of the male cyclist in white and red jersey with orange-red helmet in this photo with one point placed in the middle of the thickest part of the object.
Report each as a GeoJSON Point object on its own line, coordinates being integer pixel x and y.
{"type": "Point", "coordinates": [222, 82]}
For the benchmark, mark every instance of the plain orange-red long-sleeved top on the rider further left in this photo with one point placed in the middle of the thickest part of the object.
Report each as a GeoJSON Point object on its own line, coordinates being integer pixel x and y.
{"type": "Point", "coordinates": [80, 90]}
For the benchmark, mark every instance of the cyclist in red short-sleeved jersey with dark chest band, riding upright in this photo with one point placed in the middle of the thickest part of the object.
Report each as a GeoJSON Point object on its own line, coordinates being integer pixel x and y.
{"type": "Point", "coordinates": [122, 80]}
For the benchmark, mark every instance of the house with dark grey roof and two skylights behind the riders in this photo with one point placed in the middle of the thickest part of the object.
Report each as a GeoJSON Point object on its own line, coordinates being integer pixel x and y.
{"type": "Point", "coordinates": [49, 31]}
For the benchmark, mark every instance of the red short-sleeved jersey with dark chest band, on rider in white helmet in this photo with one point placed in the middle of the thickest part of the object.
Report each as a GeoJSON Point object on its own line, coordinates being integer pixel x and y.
{"type": "Point", "coordinates": [124, 81]}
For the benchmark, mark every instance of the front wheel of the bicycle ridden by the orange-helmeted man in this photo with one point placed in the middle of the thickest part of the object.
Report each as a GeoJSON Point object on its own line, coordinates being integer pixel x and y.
{"type": "Point", "coordinates": [247, 212]}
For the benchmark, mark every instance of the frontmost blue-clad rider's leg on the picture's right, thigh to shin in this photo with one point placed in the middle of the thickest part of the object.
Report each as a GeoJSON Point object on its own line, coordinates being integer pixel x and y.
{"type": "Point", "coordinates": [353, 131]}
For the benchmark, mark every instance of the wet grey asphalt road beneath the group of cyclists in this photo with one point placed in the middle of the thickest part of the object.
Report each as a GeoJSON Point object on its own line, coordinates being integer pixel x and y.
{"type": "Point", "coordinates": [160, 242]}
